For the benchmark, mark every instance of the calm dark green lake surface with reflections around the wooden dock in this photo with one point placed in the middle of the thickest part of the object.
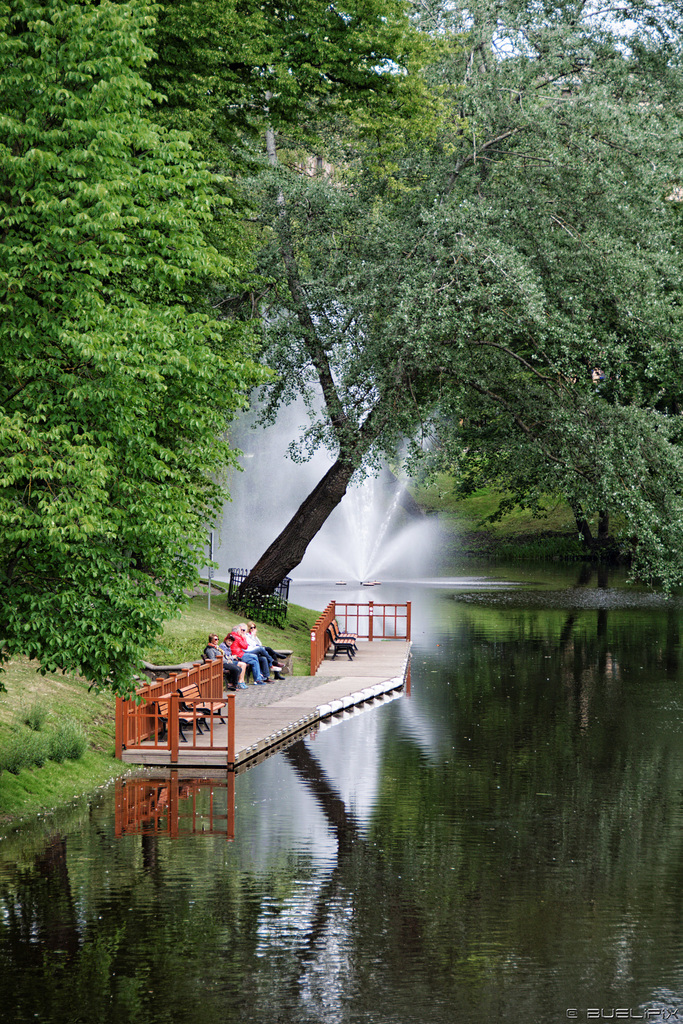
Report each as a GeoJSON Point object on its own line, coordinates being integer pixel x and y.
{"type": "Point", "coordinates": [505, 844]}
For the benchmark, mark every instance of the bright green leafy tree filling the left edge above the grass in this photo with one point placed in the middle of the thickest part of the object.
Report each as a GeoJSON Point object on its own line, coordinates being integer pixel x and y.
{"type": "Point", "coordinates": [117, 379]}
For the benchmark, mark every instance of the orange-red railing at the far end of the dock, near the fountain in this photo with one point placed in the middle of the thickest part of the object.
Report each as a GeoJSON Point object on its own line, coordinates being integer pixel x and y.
{"type": "Point", "coordinates": [367, 622]}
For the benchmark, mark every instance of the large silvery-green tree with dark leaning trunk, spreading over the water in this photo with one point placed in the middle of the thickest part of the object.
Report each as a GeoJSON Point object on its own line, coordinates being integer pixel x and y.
{"type": "Point", "coordinates": [457, 288]}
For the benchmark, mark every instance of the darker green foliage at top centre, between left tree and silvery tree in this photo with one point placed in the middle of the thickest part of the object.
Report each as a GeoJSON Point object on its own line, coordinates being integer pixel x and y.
{"type": "Point", "coordinates": [230, 69]}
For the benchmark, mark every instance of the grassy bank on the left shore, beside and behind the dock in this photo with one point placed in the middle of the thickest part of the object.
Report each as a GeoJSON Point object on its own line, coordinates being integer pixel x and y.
{"type": "Point", "coordinates": [49, 714]}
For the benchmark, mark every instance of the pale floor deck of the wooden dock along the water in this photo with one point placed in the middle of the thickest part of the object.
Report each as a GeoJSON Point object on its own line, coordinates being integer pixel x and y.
{"type": "Point", "coordinates": [271, 717]}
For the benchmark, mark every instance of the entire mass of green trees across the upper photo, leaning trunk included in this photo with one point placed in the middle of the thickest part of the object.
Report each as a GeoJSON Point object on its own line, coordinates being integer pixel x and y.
{"type": "Point", "coordinates": [438, 220]}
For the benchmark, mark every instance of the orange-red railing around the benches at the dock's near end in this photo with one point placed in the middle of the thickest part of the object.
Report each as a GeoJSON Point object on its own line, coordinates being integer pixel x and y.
{"type": "Point", "coordinates": [152, 720]}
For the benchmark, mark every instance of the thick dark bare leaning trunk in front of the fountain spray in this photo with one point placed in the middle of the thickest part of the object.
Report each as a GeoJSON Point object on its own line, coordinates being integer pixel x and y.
{"type": "Point", "coordinates": [290, 546]}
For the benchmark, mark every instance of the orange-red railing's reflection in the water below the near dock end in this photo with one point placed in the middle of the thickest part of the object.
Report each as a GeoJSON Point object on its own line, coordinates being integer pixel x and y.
{"type": "Point", "coordinates": [176, 806]}
